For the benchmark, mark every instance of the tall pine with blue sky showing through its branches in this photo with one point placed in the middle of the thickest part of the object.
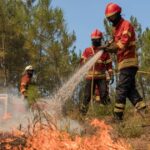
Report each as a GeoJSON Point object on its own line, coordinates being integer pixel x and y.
{"type": "Point", "coordinates": [50, 45]}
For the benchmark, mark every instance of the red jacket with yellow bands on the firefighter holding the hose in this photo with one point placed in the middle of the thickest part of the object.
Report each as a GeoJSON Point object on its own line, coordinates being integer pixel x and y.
{"type": "Point", "coordinates": [124, 37]}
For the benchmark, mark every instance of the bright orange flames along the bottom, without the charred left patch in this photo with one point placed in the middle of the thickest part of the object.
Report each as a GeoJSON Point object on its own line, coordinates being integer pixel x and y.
{"type": "Point", "coordinates": [50, 138]}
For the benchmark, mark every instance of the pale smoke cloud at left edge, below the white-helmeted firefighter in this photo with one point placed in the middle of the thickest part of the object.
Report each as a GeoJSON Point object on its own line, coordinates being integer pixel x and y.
{"type": "Point", "coordinates": [13, 111]}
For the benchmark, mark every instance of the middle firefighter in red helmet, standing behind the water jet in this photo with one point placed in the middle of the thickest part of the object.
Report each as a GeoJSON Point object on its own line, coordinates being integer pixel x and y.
{"type": "Point", "coordinates": [96, 74]}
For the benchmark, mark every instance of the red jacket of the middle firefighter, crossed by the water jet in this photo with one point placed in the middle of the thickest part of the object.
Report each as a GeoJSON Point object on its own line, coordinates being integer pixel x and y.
{"type": "Point", "coordinates": [102, 64]}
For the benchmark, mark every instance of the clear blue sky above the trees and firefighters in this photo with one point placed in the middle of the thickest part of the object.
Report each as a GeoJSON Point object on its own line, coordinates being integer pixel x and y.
{"type": "Point", "coordinates": [84, 16]}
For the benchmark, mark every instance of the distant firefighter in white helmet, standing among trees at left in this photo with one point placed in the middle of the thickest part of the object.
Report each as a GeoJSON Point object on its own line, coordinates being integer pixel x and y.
{"type": "Point", "coordinates": [26, 80]}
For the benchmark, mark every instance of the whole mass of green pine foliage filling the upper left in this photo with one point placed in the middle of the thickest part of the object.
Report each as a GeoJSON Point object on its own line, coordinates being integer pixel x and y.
{"type": "Point", "coordinates": [33, 32]}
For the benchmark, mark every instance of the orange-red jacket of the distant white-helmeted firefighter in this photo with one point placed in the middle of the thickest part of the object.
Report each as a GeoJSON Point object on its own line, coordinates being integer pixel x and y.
{"type": "Point", "coordinates": [25, 81]}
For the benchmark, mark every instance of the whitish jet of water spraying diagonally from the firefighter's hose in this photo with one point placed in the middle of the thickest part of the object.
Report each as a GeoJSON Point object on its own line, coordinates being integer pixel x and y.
{"type": "Point", "coordinates": [66, 91]}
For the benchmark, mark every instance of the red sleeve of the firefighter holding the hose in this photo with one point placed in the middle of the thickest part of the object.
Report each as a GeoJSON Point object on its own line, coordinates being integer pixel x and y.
{"type": "Point", "coordinates": [126, 36]}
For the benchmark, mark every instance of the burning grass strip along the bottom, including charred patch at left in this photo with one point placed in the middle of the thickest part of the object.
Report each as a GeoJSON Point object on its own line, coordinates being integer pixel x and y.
{"type": "Point", "coordinates": [47, 136]}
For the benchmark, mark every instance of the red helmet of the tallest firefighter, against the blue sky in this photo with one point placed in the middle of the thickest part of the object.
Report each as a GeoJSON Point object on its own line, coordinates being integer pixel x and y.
{"type": "Point", "coordinates": [112, 9]}
